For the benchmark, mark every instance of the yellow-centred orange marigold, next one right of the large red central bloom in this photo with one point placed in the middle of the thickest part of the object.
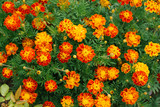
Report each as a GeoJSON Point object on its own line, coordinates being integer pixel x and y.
{"type": "Point", "coordinates": [113, 51]}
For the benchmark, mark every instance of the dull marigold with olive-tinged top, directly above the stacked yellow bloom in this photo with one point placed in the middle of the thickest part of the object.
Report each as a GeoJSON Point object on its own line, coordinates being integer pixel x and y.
{"type": "Point", "coordinates": [38, 24]}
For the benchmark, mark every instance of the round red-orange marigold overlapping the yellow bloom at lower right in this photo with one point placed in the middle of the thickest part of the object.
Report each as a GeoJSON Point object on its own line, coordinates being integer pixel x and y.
{"type": "Point", "coordinates": [139, 78]}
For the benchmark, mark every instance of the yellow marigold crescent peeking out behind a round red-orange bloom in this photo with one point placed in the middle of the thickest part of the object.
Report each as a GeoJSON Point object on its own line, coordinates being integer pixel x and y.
{"type": "Point", "coordinates": [140, 66]}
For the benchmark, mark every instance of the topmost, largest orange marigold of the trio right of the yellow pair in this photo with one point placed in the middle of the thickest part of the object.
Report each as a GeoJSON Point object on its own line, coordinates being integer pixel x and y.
{"type": "Point", "coordinates": [97, 21]}
